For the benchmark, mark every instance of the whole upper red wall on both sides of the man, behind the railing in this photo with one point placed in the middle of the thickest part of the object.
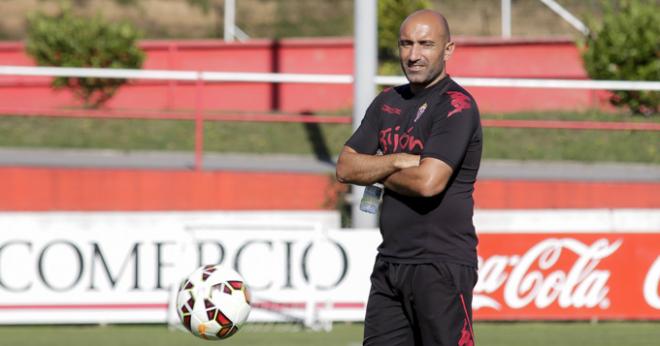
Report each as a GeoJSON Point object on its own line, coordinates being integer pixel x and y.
{"type": "Point", "coordinates": [558, 58]}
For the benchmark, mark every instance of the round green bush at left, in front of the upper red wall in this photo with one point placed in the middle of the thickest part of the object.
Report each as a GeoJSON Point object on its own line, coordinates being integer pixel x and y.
{"type": "Point", "coordinates": [67, 40]}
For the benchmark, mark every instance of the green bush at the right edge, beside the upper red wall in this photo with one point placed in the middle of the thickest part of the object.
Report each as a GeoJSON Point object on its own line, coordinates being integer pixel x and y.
{"type": "Point", "coordinates": [627, 47]}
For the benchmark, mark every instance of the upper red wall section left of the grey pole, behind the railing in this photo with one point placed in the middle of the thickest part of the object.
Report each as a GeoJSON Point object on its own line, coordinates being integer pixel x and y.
{"type": "Point", "coordinates": [290, 56]}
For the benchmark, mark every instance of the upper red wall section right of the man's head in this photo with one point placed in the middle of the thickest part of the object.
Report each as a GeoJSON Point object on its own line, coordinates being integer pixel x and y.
{"type": "Point", "coordinates": [556, 59]}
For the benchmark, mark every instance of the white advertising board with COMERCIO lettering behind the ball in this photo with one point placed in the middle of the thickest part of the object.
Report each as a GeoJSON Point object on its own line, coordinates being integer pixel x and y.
{"type": "Point", "coordinates": [124, 267]}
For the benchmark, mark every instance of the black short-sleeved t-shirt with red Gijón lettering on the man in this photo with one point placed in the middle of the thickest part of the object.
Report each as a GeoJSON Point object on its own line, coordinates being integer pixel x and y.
{"type": "Point", "coordinates": [441, 122]}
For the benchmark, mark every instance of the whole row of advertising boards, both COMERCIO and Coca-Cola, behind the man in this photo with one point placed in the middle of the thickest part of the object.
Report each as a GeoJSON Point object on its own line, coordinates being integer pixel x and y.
{"type": "Point", "coordinates": [125, 267]}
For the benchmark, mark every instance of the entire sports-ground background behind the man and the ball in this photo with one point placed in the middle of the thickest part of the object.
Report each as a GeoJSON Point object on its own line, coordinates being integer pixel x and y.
{"type": "Point", "coordinates": [140, 139]}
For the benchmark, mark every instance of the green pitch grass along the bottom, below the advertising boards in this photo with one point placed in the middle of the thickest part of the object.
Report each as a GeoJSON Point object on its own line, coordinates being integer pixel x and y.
{"type": "Point", "coordinates": [487, 333]}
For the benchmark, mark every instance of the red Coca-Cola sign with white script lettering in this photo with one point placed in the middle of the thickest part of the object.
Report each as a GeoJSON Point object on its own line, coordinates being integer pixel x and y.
{"type": "Point", "coordinates": [568, 276]}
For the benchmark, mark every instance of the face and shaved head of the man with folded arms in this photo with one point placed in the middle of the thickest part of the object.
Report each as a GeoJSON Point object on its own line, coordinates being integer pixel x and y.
{"type": "Point", "coordinates": [423, 50]}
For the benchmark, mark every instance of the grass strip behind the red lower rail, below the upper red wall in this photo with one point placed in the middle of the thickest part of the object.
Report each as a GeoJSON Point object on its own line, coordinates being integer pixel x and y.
{"type": "Point", "coordinates": [325, 140]}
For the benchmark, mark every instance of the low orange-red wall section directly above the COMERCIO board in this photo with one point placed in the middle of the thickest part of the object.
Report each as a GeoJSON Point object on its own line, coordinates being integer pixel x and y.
{"type": "Point", "coordinates": [46, 189]}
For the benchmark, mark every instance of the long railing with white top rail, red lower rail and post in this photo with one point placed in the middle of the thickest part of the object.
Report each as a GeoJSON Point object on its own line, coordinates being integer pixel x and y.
{"type": "Point", "coordinates": [200, 114]}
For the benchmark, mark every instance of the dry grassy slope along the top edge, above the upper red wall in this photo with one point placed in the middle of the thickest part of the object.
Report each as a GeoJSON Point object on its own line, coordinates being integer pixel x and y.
{"type": "Point", "coordinates": [269, 19]}
